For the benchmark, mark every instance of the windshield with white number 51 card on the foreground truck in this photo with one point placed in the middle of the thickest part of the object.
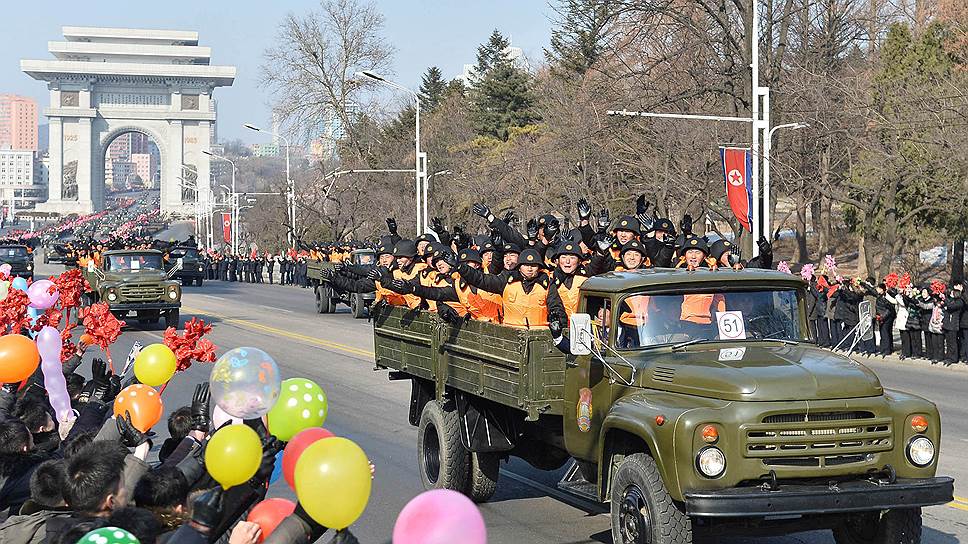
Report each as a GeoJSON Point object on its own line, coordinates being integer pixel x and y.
{"type": "Point", "coordinates": [651, 320]}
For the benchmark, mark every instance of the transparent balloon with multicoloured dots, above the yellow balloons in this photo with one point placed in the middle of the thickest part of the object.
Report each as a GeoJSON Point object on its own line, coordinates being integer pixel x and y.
{"type": "Point", "coordinates": [245, 382]}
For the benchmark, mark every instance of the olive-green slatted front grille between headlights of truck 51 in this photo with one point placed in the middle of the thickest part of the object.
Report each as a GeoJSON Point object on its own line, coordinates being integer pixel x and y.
{"type": "Point", "coordinates": [818, 440]}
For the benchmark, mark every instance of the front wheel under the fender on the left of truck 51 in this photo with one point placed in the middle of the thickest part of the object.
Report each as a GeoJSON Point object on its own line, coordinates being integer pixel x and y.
{"type": "Point", "coordinates": [642, 510]}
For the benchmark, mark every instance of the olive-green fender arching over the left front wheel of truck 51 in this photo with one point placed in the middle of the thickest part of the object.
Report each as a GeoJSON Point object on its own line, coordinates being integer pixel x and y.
{"type": "Point", "coordinates": [630, 427]}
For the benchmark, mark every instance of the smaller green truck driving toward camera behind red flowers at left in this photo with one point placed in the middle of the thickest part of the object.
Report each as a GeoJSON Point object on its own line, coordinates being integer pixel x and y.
{"type": "Point", "coordinates": [136, 281]}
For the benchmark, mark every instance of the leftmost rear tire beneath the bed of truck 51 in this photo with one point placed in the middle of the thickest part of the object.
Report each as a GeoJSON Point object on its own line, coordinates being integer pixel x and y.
{"type": "Point", "coordinates": [442, 461]}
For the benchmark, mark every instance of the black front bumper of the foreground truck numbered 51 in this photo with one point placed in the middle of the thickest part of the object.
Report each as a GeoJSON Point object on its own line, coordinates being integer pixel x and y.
{"type": "Point", "coordinates": [851, 496]}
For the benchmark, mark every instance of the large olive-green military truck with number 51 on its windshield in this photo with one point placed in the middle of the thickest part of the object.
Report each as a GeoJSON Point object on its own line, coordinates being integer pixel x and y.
{"type": "Point", "coordinates": [692, 402]}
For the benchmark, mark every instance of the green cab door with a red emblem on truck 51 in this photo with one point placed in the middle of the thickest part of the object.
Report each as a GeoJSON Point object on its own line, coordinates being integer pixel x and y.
{"type": "Point", "coordinates": [587, 389]}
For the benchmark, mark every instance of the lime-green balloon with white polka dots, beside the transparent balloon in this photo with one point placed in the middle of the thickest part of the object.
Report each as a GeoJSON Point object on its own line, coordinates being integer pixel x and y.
{"type": "Point", "coordinates": [302, 404]}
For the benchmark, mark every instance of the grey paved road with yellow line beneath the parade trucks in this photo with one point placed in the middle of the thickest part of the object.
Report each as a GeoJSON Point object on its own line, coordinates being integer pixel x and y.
{"type": "Point", "coordinates": [336, 351]}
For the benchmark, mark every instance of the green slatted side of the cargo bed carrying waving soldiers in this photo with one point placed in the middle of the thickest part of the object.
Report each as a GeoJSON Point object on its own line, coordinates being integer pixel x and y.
{"type": "Point", "coordinates": [514, 367]}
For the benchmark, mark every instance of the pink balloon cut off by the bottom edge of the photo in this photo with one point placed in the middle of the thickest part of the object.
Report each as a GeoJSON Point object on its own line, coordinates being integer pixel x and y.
{"type": "Point", "coordinates": [440, 516]}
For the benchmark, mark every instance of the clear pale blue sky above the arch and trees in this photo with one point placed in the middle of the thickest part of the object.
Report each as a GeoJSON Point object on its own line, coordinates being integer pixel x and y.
{"type": "Point", "coordinates": [445, 33]}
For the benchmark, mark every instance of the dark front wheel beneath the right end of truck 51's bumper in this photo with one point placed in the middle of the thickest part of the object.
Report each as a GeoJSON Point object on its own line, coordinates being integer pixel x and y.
{"type": "Point", "coordinates": [901, 526]}
